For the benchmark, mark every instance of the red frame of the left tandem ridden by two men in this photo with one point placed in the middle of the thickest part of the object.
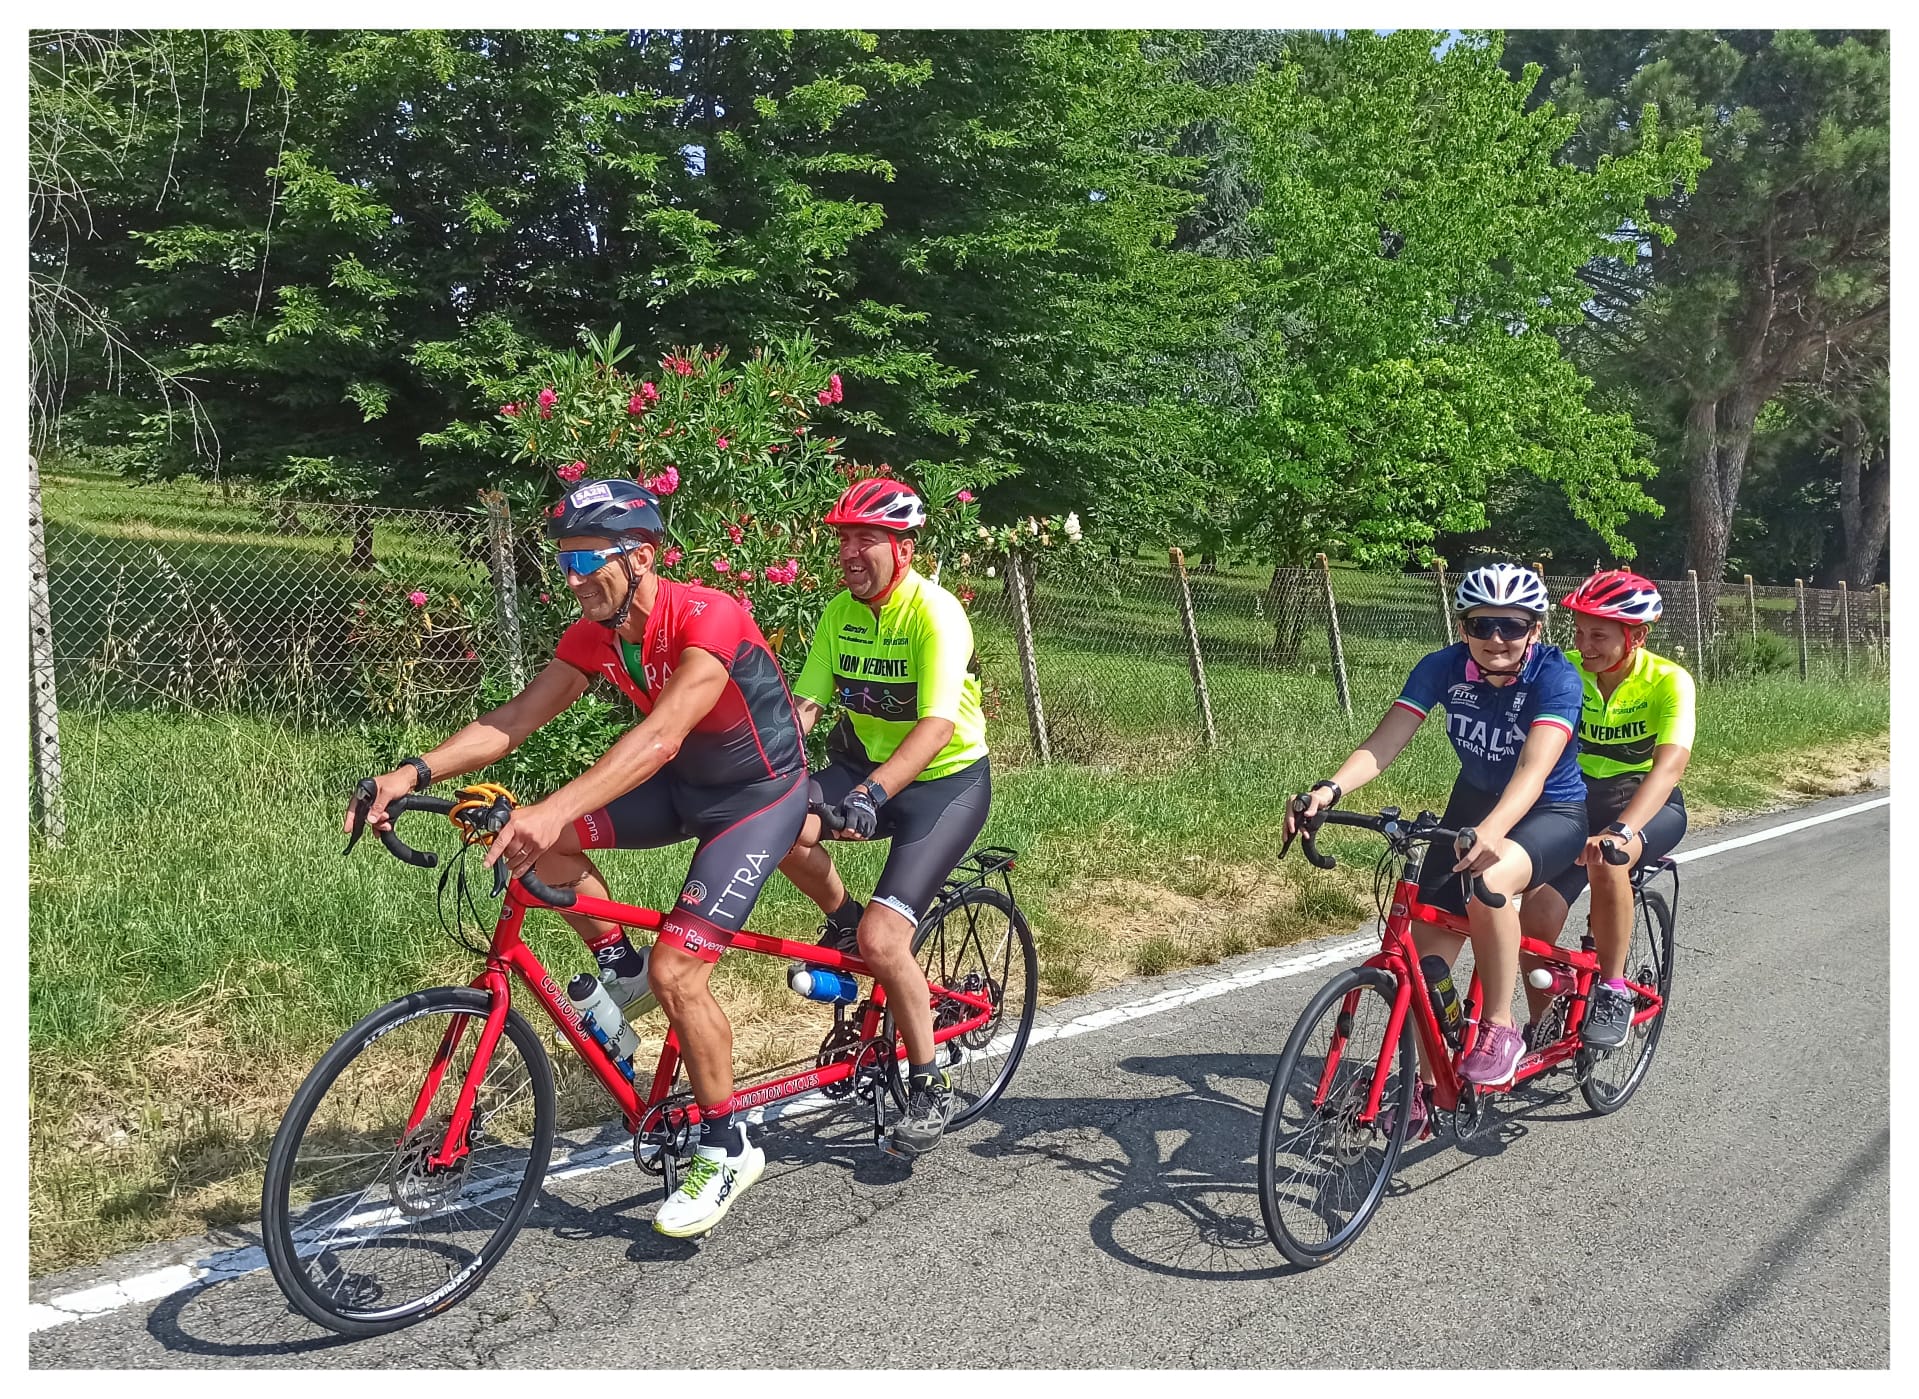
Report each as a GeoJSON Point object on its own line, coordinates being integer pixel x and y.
{"type": "Point", "coordinates": [509, 955]}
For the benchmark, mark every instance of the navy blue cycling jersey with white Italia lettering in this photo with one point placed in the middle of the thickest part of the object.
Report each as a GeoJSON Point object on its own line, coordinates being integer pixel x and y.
{"type": "Point", "coordinates": [1488, 724]}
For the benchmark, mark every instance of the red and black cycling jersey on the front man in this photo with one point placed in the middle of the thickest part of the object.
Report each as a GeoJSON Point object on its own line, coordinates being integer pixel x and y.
{"type": "Point", "coordinates": [751, 732]}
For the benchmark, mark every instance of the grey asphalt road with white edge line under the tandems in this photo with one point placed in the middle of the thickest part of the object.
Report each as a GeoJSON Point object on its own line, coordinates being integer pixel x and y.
{"type": "Point", "coordinates": [1736, 1214]}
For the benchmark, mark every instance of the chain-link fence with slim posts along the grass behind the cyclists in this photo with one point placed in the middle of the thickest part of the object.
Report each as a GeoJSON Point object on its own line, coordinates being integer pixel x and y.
{"type": "Point", "coordinates": [343, 613]}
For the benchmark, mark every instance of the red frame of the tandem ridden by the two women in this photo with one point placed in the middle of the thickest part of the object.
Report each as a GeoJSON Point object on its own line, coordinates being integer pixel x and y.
{"type": "Point", "coordinates": [1400, 959]}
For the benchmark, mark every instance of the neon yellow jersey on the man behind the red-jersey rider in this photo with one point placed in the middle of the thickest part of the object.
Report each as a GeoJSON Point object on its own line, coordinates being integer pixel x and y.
{"type": "Point", "coordinates": [889, 673]}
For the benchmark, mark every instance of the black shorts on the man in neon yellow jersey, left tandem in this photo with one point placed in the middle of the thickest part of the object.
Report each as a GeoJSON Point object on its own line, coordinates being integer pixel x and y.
{"type": "Point", "coordinates": [932, 824]}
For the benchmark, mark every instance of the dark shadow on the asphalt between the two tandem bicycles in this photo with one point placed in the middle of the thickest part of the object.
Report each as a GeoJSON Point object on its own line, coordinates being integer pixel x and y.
{"type": "Point", "coordinates": [1183, 1191]}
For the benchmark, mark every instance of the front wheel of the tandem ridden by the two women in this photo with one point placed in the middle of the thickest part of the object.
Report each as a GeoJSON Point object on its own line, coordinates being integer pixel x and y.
{"type": "Point", "coordinates": [1321, 1170]}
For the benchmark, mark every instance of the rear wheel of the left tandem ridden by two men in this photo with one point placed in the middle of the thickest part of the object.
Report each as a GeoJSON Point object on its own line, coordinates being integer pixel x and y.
{"type": "Point", "coordinates": [980, 943]}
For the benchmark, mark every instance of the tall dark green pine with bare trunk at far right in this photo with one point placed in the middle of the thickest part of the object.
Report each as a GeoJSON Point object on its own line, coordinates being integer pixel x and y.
{"type": "Point", "coordinates": [1780, 268]}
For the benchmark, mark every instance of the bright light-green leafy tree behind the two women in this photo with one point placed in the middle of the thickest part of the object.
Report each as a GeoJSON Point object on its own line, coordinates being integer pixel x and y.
{"type": "Point", "coordinates": [1423, 252]}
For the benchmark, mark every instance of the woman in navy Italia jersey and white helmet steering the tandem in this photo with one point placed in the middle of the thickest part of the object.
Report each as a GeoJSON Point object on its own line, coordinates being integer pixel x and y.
{"type": "Point", "coordinates": [1511, 709]}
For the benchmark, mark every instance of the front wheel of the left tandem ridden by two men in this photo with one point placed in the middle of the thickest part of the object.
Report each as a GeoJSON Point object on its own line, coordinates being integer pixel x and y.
{"type": "Point", "coordinates": [362, 1233]}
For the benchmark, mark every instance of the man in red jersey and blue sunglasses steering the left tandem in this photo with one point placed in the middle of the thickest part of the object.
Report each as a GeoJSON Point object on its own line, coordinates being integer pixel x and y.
{"type": "Point", "coordinates": [717, 759]}
